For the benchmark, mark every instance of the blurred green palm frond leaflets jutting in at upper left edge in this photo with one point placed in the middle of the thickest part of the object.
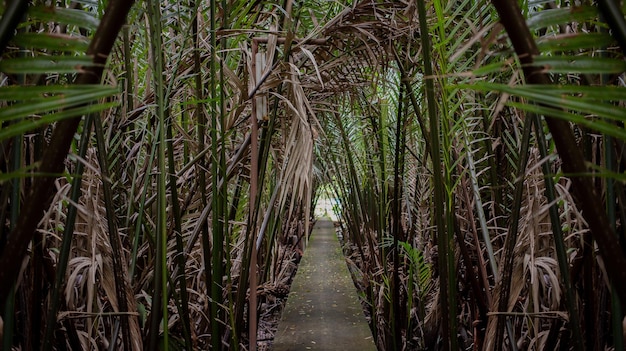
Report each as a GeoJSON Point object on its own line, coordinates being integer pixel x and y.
{"type": "Point", "coordinates": [31, 107]}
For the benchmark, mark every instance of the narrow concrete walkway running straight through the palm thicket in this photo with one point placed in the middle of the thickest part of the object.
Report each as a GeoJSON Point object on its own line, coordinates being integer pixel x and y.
{"type": "Point", "coordinates": [323, 311]}
